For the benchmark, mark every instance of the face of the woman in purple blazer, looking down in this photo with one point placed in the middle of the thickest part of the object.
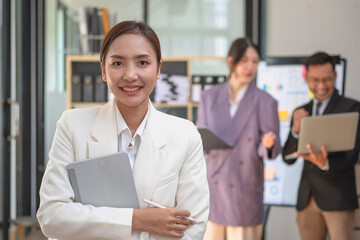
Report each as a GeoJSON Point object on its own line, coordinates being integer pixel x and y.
{"type": "Point", "coordinates": [245, 70]}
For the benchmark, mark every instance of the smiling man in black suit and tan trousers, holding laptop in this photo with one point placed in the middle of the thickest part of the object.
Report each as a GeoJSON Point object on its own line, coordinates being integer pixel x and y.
{"type": "Point", "coordinates": [327, 194]}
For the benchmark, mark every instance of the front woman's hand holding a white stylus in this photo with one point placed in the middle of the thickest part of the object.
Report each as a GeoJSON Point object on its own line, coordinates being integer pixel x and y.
{"type": "Point", "coordinates": [167, 222]}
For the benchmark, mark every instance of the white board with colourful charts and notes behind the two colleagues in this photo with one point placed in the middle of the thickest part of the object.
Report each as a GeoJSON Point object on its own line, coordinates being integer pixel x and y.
{"type": "Point", "coordinates": [283, 78]}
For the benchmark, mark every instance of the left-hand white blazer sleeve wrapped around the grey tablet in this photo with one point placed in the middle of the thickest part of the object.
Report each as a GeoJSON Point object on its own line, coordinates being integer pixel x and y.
{"type": "Point", "coordinates": [58, 215]}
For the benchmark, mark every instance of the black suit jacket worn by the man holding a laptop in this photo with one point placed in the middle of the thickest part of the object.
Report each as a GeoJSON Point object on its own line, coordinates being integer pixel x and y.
{"type": "Point", "coordinates": [334, 189]}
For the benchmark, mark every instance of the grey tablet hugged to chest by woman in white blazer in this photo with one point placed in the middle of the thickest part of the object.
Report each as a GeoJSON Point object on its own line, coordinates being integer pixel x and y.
{"type": "Point", "coordinates": [104, 181]}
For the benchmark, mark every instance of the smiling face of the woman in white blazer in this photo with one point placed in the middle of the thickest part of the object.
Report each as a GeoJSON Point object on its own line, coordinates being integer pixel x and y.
{"type": "Point", "coordinates": [131, 70]}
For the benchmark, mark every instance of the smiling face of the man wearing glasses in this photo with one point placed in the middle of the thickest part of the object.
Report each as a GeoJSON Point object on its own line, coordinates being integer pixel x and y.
{"type": "Point", "coordinates": [321, 80]}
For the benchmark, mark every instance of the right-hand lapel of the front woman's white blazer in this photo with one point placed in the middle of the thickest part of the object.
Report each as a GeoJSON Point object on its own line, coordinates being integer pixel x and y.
{"type": "Point", "coordinates": [150, 158]}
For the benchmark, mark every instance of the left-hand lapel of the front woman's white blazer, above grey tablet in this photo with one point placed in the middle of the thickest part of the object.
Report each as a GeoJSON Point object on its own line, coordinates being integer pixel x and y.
{"type": "Point", "coordinates": [105, 139]}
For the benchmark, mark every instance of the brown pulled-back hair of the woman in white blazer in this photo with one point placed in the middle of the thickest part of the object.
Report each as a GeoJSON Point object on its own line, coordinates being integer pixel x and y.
{"type": "Point", "coordinates": [130, 27]}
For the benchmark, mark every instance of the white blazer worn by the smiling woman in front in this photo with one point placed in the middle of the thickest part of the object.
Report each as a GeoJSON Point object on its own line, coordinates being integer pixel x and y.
{"type": "Point", "coordinates": [169, 169]}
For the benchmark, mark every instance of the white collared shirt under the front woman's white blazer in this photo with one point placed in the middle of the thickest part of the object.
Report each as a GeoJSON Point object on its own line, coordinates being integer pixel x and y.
{"type": "Point", "coordinates": [127, 143]}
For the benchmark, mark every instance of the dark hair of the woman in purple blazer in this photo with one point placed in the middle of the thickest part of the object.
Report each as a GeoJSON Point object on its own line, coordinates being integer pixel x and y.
{"type": "Point", "coordinates": [238, 49]}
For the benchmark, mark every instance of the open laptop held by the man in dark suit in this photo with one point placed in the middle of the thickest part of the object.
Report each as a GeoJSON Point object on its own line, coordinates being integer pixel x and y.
{"type": "Point", "coordinates": [336, 132]}
